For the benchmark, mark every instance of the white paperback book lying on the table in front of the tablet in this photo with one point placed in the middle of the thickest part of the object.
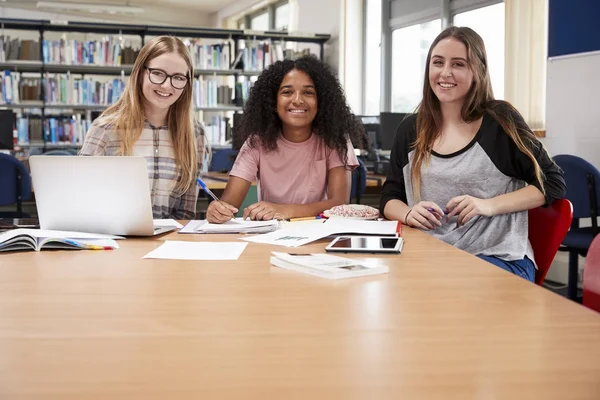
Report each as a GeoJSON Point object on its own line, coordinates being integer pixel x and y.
{"type": "Point", "coordinates": [325, 265]}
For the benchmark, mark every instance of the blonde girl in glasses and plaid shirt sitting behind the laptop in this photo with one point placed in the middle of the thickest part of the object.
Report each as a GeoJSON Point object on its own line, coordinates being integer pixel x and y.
{"type": "Point", "coordinates": [154, 119]}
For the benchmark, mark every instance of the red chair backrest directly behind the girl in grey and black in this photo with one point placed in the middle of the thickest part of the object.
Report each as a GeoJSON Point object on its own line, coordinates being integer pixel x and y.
{"type": "Point", "coordinates": [547, 229]}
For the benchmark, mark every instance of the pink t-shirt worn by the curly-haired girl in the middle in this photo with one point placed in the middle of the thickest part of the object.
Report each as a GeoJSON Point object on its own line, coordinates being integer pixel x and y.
{"type": "Point", "coordinates": [294, 173]}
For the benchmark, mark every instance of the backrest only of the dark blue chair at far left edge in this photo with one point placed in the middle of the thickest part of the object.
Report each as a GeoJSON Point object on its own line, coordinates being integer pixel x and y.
{"type": "Point", "coordinates": [10, 168]}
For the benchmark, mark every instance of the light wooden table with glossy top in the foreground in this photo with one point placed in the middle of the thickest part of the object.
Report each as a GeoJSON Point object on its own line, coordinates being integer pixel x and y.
{"type": "Point", "coordinates": [441, 325]}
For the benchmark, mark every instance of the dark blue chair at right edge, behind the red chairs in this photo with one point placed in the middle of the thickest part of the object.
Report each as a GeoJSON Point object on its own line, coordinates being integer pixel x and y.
{"type": "Point", "coordinates": [583, 191]}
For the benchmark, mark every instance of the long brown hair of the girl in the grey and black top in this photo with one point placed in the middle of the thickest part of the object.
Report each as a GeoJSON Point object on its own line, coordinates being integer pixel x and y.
{"type": "Point", "coordinates": [479, 100]}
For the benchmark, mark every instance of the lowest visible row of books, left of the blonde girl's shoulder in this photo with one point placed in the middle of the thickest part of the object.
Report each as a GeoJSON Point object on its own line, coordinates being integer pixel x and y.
{"type": "Point", "coordinates": [52, 130]}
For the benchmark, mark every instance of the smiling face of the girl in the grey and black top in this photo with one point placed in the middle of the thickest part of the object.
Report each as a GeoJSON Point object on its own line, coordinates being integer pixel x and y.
{"type": "Point", "coordinates": [450, 75]}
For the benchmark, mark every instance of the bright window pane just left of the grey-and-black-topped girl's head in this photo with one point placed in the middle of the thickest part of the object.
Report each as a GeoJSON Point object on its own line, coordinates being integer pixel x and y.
{"type": "Point", "coordinates": [410, 46]}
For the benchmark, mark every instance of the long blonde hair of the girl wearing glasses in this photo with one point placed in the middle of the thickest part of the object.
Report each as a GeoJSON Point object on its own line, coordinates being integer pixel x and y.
{"type": "Point", "coordinates": [126, 116]}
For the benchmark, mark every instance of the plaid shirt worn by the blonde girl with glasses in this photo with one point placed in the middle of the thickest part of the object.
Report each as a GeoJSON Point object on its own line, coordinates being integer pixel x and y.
{"type": "Point", "coordinates": [156, 147]}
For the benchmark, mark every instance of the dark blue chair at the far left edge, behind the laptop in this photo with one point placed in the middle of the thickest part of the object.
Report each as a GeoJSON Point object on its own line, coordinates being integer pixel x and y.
{"type": "Point", "coordinates": [15, 185]}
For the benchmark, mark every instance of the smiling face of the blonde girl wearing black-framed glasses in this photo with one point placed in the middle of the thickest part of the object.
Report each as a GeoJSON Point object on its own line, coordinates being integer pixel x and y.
{"type": "Point", "coordinates": [163, 95]}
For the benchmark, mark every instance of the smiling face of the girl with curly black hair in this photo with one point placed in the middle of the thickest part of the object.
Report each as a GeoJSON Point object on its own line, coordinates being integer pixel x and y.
{"type": "Point", "coordinates": [297, 100]}
